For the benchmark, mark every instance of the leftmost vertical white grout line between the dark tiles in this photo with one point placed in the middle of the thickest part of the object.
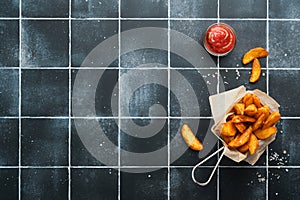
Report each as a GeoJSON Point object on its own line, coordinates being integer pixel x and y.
{"type": "Point", "coordinates": [20, 97]}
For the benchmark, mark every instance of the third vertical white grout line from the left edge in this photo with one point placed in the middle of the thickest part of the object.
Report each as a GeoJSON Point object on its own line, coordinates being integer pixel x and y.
{"type": "Point", "coordinates": [119, 102]}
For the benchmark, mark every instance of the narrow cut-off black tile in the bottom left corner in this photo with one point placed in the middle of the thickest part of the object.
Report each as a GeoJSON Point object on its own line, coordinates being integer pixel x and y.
{"type": "Point", "coordinates": [9, 184]}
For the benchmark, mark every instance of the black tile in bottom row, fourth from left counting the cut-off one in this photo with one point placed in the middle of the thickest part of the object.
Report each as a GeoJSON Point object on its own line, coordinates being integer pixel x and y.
{"type": "Point", "coordinates": [150, 185]}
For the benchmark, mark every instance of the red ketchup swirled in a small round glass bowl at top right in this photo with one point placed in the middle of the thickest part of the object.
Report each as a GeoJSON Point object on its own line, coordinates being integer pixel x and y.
{"type": "Point", "coordinates": [219, 39]}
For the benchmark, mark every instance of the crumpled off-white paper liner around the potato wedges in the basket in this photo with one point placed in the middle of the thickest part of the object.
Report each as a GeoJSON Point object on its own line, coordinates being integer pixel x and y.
{"type": "Point", "coordinates": [221, 104]}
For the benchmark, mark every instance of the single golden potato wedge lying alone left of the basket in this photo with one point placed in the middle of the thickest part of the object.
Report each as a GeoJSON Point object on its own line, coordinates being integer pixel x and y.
{"type": "Point", "coordinates": [190, 139]}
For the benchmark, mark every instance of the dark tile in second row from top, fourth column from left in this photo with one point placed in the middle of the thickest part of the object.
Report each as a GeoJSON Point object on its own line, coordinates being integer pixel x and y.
{"type": "Point", "coordinates": [144, 57]}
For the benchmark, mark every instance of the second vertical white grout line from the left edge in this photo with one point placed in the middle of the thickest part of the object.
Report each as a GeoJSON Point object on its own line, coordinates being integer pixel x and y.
{"type": "Point", "coordinates": [70, 101]}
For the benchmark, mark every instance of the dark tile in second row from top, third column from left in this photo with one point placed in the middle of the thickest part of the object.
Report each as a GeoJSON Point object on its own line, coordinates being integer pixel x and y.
{"type": "Point", "coordinates": [88, 34]}
